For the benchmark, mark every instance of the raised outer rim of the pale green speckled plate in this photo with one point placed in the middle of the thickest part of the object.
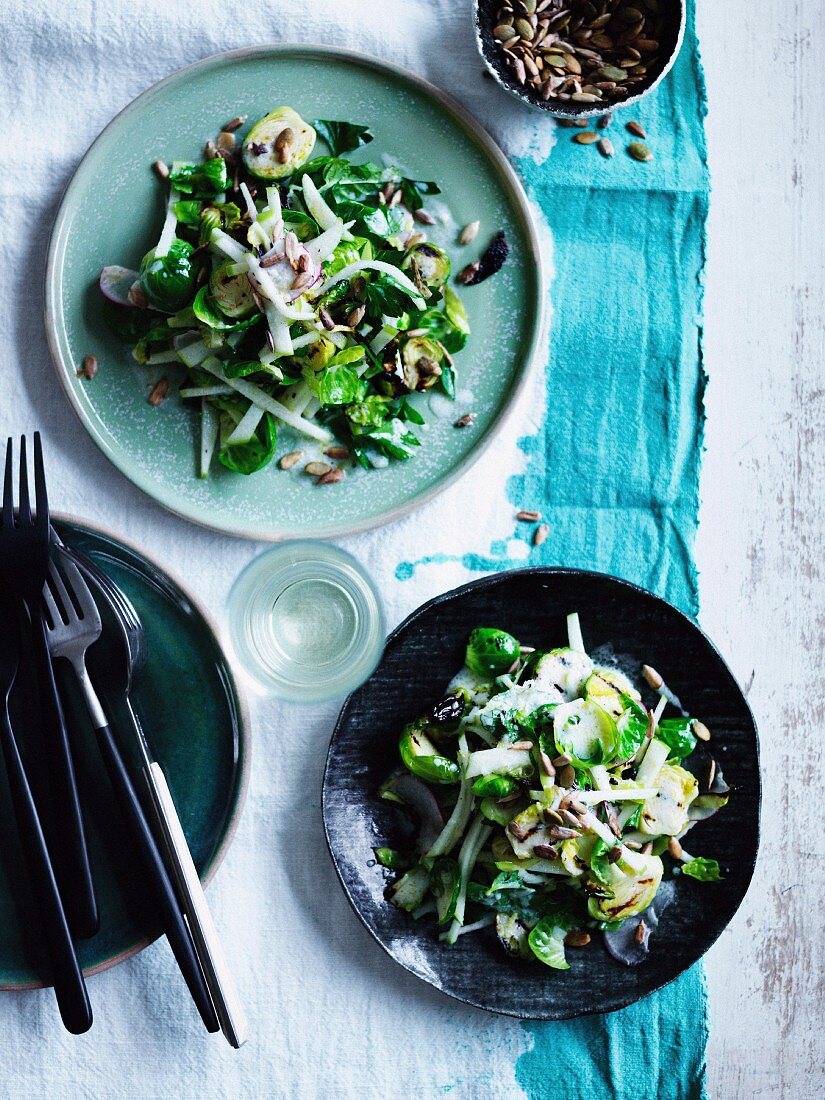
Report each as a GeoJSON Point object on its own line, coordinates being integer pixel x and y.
{"type": "Point", "coordinates": [59, 343]}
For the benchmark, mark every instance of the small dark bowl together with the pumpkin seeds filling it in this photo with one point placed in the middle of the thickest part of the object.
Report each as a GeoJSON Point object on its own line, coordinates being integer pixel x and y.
{"type": "Point", "coordinates": [578, 59]}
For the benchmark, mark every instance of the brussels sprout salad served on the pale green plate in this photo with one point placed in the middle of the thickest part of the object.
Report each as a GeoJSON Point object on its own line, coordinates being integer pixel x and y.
{"type": "Point", "coordinates": [295, 291]}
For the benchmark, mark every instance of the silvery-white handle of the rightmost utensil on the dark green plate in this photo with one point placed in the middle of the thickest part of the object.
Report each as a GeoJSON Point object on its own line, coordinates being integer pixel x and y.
{"type": "Point", "coordinates": [211, 951]}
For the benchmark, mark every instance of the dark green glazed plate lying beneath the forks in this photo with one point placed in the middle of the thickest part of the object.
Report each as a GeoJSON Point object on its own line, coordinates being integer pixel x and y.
{"type": "Point", "coordinates": [192, 712]}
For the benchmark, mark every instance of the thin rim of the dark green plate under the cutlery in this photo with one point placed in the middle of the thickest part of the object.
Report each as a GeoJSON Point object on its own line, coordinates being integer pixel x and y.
{"type": "Point", "coordinates": [245, 742]}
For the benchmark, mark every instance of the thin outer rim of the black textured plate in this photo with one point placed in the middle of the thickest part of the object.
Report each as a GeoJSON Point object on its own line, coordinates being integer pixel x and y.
{"type": "Point", "coordinates": [488, 582]}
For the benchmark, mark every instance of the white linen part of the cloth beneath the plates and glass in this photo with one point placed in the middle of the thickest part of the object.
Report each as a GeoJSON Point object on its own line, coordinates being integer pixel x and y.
{"type": "Point", "coordinates": [331, 1014]}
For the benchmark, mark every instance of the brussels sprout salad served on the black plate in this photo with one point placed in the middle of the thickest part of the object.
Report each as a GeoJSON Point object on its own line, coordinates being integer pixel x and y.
{"type": "Point", "coordinates": [547, 795]}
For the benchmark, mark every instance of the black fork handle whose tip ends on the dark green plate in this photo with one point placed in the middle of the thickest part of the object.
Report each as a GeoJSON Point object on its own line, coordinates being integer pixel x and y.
{"type": "Point", "coordinates": [70, 848]}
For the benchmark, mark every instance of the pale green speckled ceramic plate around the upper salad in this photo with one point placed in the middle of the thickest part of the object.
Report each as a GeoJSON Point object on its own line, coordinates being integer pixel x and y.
{"type": "Point", "coordinates": [113, 212]}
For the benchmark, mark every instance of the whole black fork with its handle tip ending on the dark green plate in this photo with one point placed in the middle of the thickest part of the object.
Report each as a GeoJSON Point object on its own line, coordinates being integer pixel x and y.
{"type": "Point", "coordinates": [25, 551]}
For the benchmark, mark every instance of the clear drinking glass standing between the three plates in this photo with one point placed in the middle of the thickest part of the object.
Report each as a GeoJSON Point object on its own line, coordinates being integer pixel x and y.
{"type": "Point", "coordinates": [306, 622]}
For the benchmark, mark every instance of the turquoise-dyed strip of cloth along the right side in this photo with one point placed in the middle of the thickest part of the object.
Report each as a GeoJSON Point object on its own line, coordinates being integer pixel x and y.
{"type": "Point", "coordinates": [615, 472]}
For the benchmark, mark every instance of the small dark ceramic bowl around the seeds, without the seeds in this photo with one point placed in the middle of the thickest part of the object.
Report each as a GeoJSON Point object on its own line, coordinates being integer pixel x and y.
{"type": "Point", "coordinates": [486, 18]}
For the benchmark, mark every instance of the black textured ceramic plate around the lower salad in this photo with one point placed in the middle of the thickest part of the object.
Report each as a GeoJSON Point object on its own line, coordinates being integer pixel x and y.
{"type": "Point", "coordinates": [421, 657]}
